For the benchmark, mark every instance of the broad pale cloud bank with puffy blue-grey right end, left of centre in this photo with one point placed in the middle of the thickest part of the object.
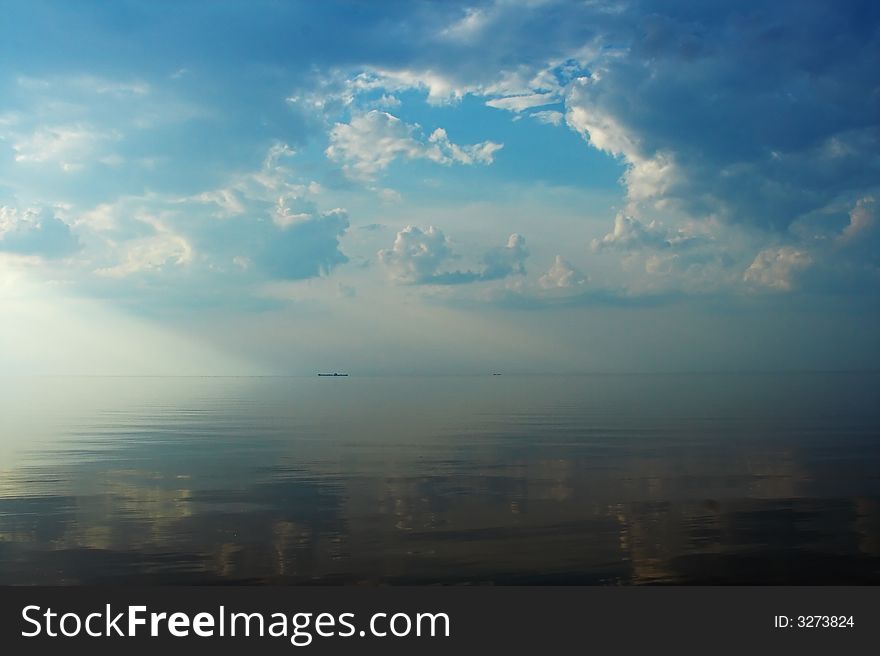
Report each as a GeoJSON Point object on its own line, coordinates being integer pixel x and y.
{"type": "Point", "coordinates": [214, 245]}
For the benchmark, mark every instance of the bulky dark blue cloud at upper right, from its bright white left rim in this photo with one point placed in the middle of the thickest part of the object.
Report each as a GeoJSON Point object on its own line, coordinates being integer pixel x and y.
{"type": "Point", "coordinates": [746, 116]}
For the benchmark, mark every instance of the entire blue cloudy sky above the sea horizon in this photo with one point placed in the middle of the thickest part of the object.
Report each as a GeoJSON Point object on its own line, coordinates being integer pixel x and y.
{"type": "Point", "coordinates": [420, 187]}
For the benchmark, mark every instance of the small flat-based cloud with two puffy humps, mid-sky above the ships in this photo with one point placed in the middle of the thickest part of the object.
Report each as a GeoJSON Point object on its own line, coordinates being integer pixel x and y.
{"type": "Point", "coordinates": [419, 257]}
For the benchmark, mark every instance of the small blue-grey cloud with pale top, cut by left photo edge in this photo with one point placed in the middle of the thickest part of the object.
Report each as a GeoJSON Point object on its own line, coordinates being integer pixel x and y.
{"type": "Point", "coordinates": [35, 232]}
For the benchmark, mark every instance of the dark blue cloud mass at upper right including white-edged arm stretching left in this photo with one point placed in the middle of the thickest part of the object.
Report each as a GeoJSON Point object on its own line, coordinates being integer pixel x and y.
{"type": "Point", "coordinates": [757, 113]}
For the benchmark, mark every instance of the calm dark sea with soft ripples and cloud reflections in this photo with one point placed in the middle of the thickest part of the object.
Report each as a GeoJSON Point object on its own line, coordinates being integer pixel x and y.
{"type": "Point", "coordinates": [602, 479]}
